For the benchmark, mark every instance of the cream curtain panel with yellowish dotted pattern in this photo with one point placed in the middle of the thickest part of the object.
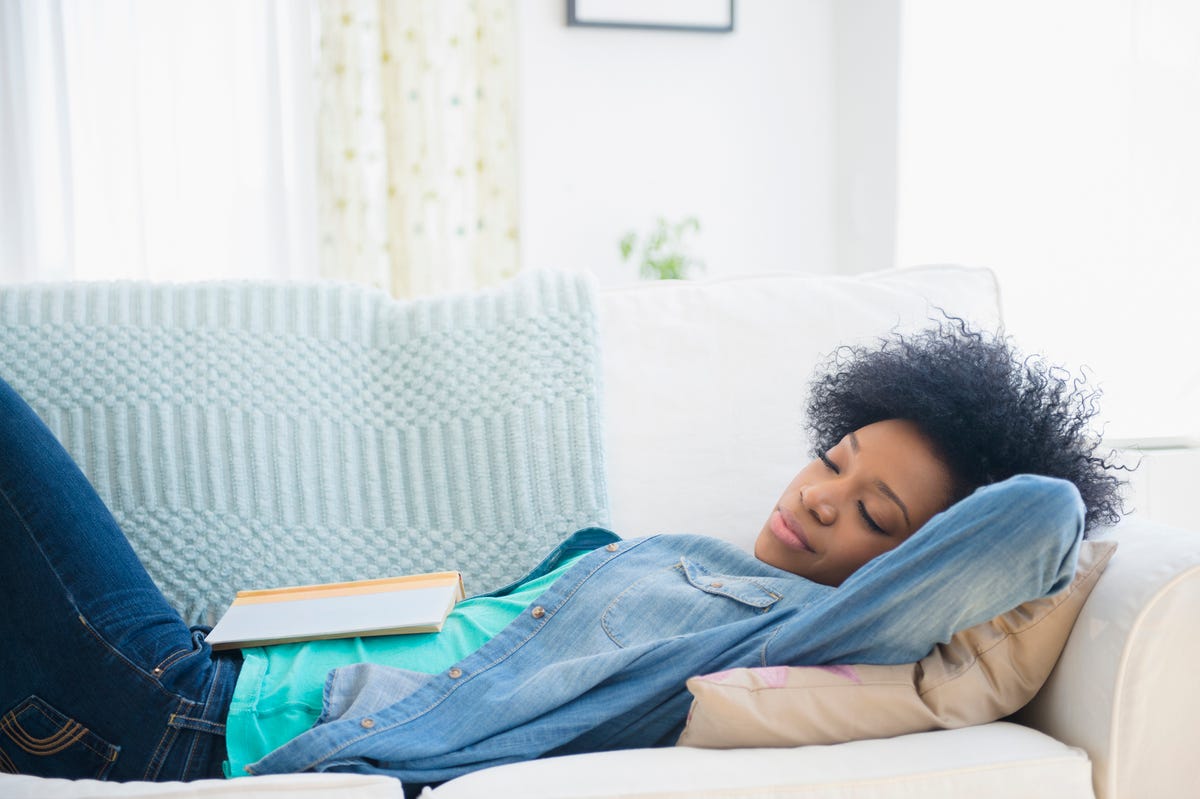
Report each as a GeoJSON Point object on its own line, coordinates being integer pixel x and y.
{"type": "Point", "coordinates": [417, 157]}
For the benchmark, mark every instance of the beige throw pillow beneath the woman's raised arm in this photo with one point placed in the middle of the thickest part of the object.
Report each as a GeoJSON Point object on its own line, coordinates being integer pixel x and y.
{"type": "Point", "coordinates": [982, 675]}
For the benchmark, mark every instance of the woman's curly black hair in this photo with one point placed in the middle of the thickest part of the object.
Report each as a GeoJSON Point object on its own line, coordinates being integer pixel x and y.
{"type": "Point", "coordinates": [989, 412]}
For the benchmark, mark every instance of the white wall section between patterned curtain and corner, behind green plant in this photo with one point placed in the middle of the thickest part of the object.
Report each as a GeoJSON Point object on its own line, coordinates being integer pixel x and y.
{"type": "Point", "coordinates": [617, 128]}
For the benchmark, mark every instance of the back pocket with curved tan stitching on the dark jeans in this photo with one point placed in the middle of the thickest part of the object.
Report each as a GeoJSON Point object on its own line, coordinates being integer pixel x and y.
{"type": "Point", "coordinates": [38, 740]}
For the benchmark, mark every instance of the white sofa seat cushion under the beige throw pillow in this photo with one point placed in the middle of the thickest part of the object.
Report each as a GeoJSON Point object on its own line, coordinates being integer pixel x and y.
{"type": "Point", "coordinates": [998, 761]}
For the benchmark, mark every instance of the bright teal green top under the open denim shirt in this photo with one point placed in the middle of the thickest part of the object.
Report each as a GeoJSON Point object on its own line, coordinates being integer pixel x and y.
{"type": "Point", "coordinates": [279, 692]}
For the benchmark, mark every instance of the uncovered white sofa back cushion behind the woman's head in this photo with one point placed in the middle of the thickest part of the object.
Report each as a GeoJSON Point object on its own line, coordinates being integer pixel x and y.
{"type": "Point", "coordinates": [705, 383]}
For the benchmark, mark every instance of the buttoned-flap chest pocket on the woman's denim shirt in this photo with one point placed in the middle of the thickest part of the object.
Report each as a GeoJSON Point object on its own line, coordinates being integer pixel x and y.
{"type": "Point", "coordinates": [681, 600]}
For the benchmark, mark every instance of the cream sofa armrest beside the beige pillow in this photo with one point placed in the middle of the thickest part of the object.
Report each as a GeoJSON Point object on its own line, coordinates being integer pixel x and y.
{"type": "Point", "coordinates": [1125, 688]}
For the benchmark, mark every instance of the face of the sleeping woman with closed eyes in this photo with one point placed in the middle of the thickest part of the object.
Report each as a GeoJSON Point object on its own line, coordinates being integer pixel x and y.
{"type": "Point", "coordinates": [860, 500]}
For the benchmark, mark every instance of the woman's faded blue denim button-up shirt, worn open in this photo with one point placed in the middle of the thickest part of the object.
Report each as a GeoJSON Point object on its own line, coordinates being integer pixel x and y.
{"type": "Point", "coordinates": [601, 659]}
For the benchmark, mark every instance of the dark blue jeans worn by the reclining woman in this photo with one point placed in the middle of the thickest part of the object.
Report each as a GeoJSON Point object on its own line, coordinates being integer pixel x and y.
{"type": "Point", "coordinates": [99, 676]}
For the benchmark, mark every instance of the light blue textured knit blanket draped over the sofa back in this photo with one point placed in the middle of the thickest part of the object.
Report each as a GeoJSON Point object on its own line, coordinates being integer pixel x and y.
{"type": "Point", "coordinates": [260, 435]}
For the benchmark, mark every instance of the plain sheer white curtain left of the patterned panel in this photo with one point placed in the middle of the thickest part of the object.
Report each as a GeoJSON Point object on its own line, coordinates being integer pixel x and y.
{"type": "Point", "coordinates": [157, 140]}
